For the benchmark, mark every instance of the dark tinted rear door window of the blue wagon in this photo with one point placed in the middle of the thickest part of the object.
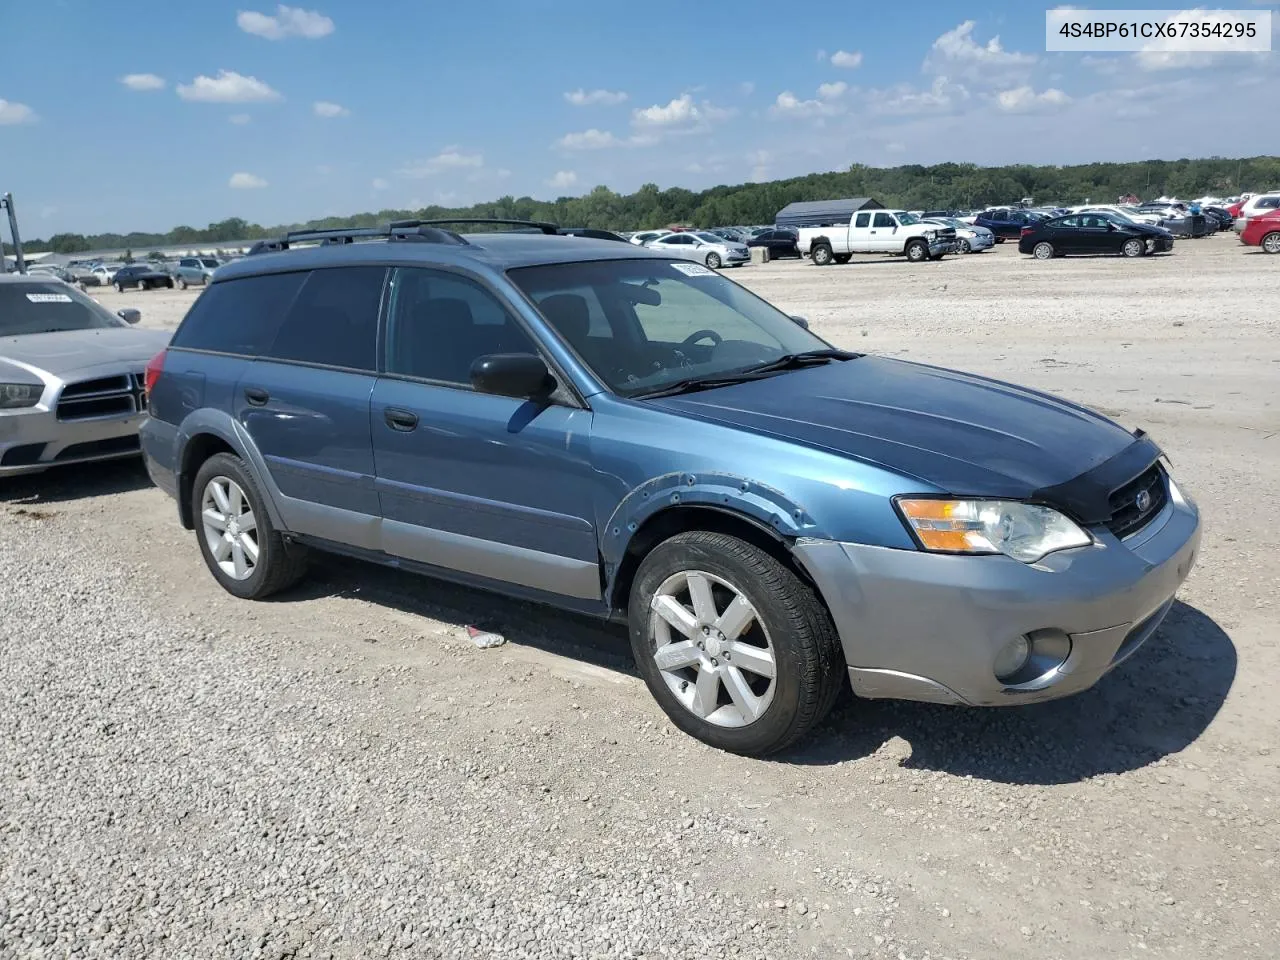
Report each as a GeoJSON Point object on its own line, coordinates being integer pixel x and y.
{"type": "Point", "coordinates": [333, 321]}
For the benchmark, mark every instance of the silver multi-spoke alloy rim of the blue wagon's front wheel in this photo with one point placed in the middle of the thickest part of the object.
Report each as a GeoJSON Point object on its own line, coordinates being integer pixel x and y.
{"type": "Point", "coordinates": [712, 650]}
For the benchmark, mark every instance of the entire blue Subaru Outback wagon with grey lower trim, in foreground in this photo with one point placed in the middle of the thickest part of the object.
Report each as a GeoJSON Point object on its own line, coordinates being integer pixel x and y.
{"type": "Point", "coordinates": [614, 432]}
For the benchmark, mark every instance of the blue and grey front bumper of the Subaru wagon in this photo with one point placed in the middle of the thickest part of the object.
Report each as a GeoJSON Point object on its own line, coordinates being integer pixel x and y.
{"type": "Point", "coordinates": [926, 627]}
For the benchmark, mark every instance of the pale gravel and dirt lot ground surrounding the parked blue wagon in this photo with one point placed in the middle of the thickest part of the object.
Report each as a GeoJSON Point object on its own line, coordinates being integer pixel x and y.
{"type": "Point", "coordinates": [342, 774]}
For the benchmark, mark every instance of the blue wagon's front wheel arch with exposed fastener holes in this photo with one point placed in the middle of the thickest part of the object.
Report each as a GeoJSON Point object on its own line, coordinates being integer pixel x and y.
{"type": "Point", "coordinates": [676, 502]}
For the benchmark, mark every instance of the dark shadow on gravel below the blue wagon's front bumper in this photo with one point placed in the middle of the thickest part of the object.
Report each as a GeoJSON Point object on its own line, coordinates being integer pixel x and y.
{"type": "Point", "coordinates": [1155, 705]}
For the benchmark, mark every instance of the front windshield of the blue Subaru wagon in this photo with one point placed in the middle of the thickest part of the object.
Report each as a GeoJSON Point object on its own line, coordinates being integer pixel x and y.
{"type": "Point", "coordinates": [646, 324]}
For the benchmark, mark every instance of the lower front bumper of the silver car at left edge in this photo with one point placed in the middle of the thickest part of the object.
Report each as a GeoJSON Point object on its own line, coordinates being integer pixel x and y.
{"type": "Point", "coordinates": [33, 442]}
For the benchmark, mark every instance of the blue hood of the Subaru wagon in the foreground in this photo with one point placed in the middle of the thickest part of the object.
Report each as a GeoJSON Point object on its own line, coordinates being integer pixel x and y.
{"type": "Point", "coordinates": [962, 433]}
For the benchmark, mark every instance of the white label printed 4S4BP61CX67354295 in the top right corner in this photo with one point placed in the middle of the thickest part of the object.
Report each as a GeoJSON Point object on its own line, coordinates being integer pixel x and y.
{"type": "Point", "coordinates": [1154, 35]}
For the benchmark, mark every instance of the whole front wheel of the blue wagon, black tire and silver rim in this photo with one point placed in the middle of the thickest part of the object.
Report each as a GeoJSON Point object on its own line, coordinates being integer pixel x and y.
{"type": "Point", "coordinates": [738, 651]}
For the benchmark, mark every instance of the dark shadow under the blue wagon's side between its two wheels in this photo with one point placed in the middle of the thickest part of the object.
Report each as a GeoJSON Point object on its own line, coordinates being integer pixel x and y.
{"type": "Point", "coordinates": [563, 633]}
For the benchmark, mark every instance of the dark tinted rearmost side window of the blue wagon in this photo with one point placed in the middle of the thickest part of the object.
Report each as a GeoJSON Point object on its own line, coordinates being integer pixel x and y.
{"type": "Point", "coordinates": [239, 317]}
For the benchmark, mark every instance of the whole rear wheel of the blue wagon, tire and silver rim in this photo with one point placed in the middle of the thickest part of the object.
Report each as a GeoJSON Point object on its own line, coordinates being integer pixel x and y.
{"type": "Point", "coordinates": [243, 550]}
